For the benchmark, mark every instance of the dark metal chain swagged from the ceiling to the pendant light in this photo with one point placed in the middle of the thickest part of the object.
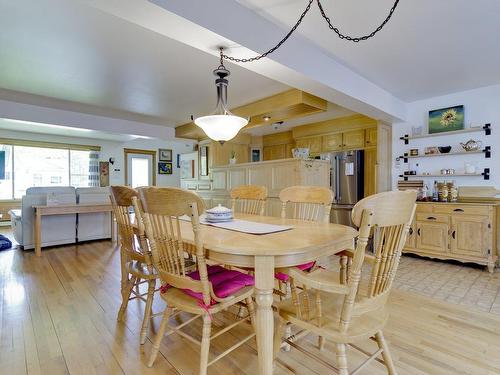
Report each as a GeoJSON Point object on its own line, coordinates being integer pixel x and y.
{"type": "Point", "coordinates": [299, 21]}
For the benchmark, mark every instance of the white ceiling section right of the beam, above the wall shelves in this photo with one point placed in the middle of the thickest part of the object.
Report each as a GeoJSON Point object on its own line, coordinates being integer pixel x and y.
{"type": "Point", "coordinates": [428, 48]}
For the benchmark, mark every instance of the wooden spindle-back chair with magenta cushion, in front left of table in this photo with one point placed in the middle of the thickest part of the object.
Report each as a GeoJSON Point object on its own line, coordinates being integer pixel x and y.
{"type": "Point", "coordinates": [203, 293]}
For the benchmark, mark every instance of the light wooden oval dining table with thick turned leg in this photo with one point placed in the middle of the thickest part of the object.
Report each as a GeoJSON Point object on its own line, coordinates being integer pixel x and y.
{"type": "Point", "coordinates": [305, 242]}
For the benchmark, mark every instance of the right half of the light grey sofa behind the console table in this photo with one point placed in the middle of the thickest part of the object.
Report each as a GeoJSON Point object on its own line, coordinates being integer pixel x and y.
{"type": "Point", "coordinates": [93, 226]}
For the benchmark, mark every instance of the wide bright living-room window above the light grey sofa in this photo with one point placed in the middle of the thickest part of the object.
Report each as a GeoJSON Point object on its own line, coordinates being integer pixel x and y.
{"type": "Point", "coordinates": [27, 166]}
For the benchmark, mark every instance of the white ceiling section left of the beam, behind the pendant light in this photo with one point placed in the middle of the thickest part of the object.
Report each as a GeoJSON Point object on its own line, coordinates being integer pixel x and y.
{"type": "Point", "coordinates": [68, 51]}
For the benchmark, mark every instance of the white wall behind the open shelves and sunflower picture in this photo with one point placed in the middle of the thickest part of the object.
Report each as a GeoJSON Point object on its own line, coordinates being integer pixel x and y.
{"type": "Point", "coordinates": [481, 106]}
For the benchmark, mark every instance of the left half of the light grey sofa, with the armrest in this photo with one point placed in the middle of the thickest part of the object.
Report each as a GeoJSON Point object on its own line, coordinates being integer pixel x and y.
{"type": "Point", "coordinates": [56, 230]}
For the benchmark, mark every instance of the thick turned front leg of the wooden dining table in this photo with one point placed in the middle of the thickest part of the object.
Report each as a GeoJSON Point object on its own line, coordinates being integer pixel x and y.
{"type": "Point", "coordinates": [264, 285]}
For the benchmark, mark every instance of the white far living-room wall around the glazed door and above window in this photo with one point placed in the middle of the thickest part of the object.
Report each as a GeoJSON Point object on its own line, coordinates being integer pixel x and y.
{"type": "Point", "coordinates": [115, 149]}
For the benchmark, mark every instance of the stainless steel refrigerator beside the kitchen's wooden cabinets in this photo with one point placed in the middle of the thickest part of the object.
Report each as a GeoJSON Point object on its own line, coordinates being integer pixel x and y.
{"type": "Point", "coordinates": [346, 180]}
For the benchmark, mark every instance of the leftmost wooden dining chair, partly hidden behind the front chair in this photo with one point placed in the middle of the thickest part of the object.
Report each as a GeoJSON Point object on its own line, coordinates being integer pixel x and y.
{"type": "Point", "coordinates": [136, 263]}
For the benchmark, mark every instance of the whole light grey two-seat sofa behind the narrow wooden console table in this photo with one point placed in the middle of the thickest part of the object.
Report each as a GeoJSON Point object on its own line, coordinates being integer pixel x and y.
{"type": "Point", "coordinates": [61, 229]}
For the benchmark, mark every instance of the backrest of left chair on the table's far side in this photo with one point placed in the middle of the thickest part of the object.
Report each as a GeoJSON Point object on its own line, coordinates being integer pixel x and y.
{"type": "Point", "coordinates": [249, 199]}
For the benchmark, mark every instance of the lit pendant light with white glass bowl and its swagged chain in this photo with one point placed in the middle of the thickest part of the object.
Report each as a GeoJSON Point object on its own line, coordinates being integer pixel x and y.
{"type": "Point", "coordinates": [222, 125]}
